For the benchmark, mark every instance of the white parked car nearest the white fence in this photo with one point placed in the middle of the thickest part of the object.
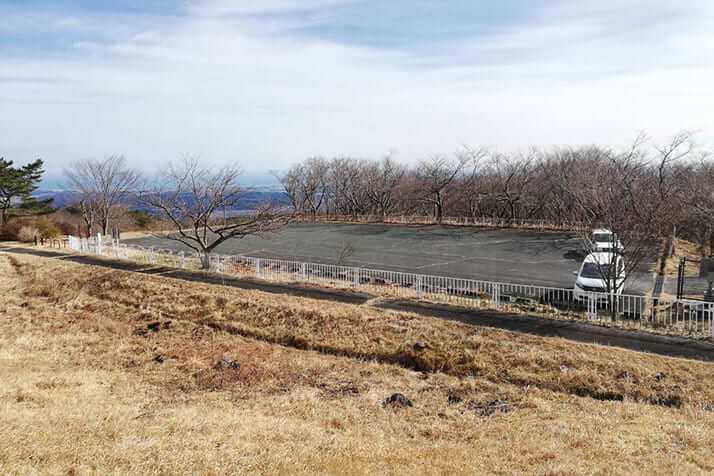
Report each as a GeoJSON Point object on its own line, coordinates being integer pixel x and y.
{"type": "Point", "coordinates": [596, 270]}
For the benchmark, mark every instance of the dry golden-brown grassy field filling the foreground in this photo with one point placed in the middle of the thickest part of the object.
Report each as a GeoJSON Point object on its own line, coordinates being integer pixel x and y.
{"type": "Point", "coordinates": [109, 371]}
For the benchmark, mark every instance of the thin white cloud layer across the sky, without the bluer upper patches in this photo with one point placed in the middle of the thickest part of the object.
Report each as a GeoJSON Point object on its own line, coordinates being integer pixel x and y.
{"type": "Point", "coordinates": [223, 89]}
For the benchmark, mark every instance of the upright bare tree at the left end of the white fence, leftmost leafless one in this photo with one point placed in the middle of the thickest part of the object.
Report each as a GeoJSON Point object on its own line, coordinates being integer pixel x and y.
{"type": "Point", "coordinates": [100, 186]}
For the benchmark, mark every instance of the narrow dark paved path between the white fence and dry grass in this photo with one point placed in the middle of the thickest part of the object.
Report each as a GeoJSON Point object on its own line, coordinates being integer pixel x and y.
{"type": "Point", "coordinates": [575, 331]}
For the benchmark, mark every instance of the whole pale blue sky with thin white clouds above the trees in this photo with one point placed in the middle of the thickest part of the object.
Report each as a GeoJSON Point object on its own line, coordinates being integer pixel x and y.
{"type": "Point", "coordinates": [266, 83]}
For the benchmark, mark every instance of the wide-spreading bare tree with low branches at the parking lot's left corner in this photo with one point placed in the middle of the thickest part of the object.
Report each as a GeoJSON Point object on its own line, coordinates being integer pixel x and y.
{"type": "Point", "coordinates": [192, 197]}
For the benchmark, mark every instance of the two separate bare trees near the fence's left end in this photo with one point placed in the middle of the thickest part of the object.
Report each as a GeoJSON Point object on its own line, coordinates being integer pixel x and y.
{"type": "Point", "coordinates": [193, 199]}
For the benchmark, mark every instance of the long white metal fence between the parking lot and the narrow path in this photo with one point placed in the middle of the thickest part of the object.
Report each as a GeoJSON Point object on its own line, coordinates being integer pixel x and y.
{"type": "Point", "coordinates": [666, 315]}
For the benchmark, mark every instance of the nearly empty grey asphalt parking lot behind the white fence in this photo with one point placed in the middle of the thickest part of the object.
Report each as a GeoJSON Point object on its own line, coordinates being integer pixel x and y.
{"type": "Point", "coordinates": [524, 257]}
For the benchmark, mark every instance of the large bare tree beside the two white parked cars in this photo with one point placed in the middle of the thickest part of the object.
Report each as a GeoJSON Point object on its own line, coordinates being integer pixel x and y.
{"type": "Point", "coordinates": [630, 194]}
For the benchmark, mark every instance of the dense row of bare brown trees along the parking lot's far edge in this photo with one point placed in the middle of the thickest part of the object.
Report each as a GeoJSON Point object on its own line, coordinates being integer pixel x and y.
{"type": "Point", "coordinates": [645, 189]}
